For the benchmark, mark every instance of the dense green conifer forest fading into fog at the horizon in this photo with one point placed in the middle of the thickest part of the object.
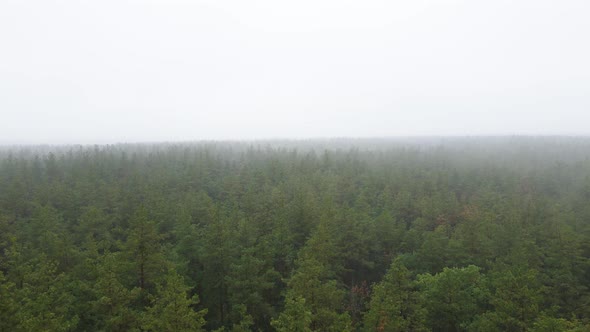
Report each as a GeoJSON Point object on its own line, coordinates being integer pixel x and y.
{"type": "Point", "coordinates": [454, 234]}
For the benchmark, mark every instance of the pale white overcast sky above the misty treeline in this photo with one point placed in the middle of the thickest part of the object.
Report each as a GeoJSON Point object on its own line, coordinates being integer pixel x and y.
{"type": "Point", "coordinates": [119, 71]}
